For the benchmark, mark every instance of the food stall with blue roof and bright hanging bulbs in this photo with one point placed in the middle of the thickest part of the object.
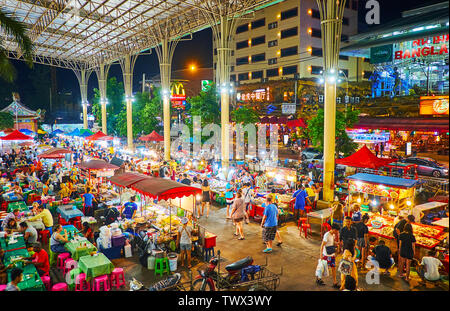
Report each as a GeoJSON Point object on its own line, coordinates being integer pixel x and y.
{"type": "Point", "coordinates": [386, 194]}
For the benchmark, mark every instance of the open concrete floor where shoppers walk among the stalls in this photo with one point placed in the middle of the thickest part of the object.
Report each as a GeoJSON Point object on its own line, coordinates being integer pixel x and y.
{"type": "Point", "coordinates": [297, 257]}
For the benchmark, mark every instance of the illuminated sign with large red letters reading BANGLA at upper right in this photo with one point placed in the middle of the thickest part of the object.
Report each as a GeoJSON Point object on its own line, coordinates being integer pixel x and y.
{"type": "Point", "coordinates": [424, 47]}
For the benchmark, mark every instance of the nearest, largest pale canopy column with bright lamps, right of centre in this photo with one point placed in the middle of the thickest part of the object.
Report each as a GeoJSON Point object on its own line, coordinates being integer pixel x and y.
{"type": "Point", "coordinates": [331, 15]}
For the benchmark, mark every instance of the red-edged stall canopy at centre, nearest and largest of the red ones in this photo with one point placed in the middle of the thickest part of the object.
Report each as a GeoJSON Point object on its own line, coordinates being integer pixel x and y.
{"type": "Point", "coordinates": [164, 189]}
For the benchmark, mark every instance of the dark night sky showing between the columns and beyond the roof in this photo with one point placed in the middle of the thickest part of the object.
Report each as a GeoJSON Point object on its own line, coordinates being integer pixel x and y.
{"type": "Point", "coordinates": [199, 51]}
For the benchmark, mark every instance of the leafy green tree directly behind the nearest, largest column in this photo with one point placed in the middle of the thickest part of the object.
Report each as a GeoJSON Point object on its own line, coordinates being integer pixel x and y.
{"type": "Point", "coordinates": [344, 120]}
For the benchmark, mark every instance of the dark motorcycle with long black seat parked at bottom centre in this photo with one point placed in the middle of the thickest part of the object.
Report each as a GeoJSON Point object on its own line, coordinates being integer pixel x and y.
{"type": "Point", "coordinates": [208, 279]}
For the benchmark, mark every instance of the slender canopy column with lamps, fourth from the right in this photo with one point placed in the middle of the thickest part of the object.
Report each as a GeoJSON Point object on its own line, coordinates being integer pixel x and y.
{"type": "Point", "coordinates": [127, 64]}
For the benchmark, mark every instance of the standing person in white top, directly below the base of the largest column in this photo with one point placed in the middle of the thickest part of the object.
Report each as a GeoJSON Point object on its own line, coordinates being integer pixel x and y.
{"type": "Point", "coordinates": [330, 240]}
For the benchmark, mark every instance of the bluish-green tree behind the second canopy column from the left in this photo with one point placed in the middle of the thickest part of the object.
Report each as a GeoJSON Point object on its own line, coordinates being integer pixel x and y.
{"type": "Point", "coordinates": [116, 102]}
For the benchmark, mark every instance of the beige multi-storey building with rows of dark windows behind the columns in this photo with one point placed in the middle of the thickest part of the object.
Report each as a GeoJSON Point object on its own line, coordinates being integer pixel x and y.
{"type": "Point", "coordinates": [284, 41]}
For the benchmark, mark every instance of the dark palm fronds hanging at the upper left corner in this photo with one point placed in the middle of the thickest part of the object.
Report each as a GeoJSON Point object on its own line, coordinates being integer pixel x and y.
{"type": "Point", "coordinates": [11, 27]}
